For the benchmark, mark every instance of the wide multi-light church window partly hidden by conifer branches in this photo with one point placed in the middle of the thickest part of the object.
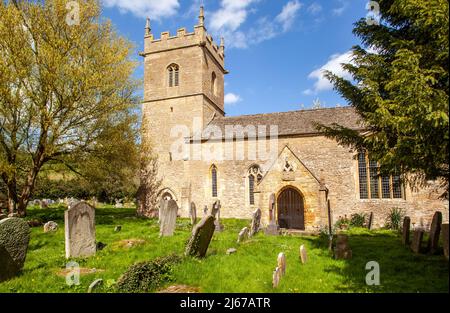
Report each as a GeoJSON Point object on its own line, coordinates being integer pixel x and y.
{"type": "Point", "coordinates": [372, 185]}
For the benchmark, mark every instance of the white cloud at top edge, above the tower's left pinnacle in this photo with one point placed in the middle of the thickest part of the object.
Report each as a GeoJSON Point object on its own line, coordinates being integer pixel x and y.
{"type": "Point", "coordinates": [155, 9]}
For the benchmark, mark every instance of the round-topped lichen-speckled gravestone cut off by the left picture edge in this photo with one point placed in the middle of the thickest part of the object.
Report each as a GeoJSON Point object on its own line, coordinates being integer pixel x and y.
{"type": "Point", "coordinates": [14, 239]}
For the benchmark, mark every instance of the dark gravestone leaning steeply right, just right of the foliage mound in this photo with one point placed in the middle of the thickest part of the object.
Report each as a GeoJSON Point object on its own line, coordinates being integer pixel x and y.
{"type": "Point", "coordinates": [201, 237]}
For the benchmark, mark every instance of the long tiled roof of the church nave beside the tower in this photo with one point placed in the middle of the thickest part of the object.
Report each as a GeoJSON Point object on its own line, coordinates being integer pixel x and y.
{"type": "Point", "coordinates": [290, 123]}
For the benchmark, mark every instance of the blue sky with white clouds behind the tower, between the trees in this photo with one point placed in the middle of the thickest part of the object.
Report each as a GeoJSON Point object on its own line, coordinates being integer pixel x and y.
{"type": "Point", "coordinates": [275, 49]}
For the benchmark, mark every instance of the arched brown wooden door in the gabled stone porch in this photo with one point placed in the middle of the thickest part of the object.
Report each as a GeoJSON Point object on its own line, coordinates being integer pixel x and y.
{"type": "Point", "coordinates": [291, 209]}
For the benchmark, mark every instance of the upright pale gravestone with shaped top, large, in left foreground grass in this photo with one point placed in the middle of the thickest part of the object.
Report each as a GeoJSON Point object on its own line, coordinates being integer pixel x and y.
{"type": "Point", "coordinates": [79, 227]}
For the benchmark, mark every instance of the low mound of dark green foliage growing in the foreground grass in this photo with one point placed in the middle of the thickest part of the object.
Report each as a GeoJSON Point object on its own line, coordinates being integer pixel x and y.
{"type": "Point", "coordinates": [147, 276]}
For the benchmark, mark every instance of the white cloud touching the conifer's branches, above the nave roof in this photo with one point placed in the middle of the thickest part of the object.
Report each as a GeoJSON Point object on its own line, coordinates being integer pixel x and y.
{"type": "Point", "coordinates": [333, 65]}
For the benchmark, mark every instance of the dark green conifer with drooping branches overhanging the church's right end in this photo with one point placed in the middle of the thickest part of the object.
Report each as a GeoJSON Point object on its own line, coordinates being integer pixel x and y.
{"type": "Point", "coordinates": [400, 89]}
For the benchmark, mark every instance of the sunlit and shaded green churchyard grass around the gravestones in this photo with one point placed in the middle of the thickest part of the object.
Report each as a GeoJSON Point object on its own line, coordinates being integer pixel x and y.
{"type": "Point", "coordinates": [248, 270]}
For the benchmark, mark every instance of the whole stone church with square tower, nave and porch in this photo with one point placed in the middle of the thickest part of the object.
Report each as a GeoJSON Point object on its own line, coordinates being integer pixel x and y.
{"type": "Point", "coordinates": [205, 156]}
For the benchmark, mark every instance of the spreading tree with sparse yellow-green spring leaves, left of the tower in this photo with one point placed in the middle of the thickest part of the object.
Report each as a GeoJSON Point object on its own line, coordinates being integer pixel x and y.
{"type": "Point", "coordinates": [64, 83]}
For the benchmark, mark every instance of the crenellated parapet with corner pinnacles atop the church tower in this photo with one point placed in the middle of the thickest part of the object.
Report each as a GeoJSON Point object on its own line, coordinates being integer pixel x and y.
{"type": "Point", "coordinates": [184, 39]}
